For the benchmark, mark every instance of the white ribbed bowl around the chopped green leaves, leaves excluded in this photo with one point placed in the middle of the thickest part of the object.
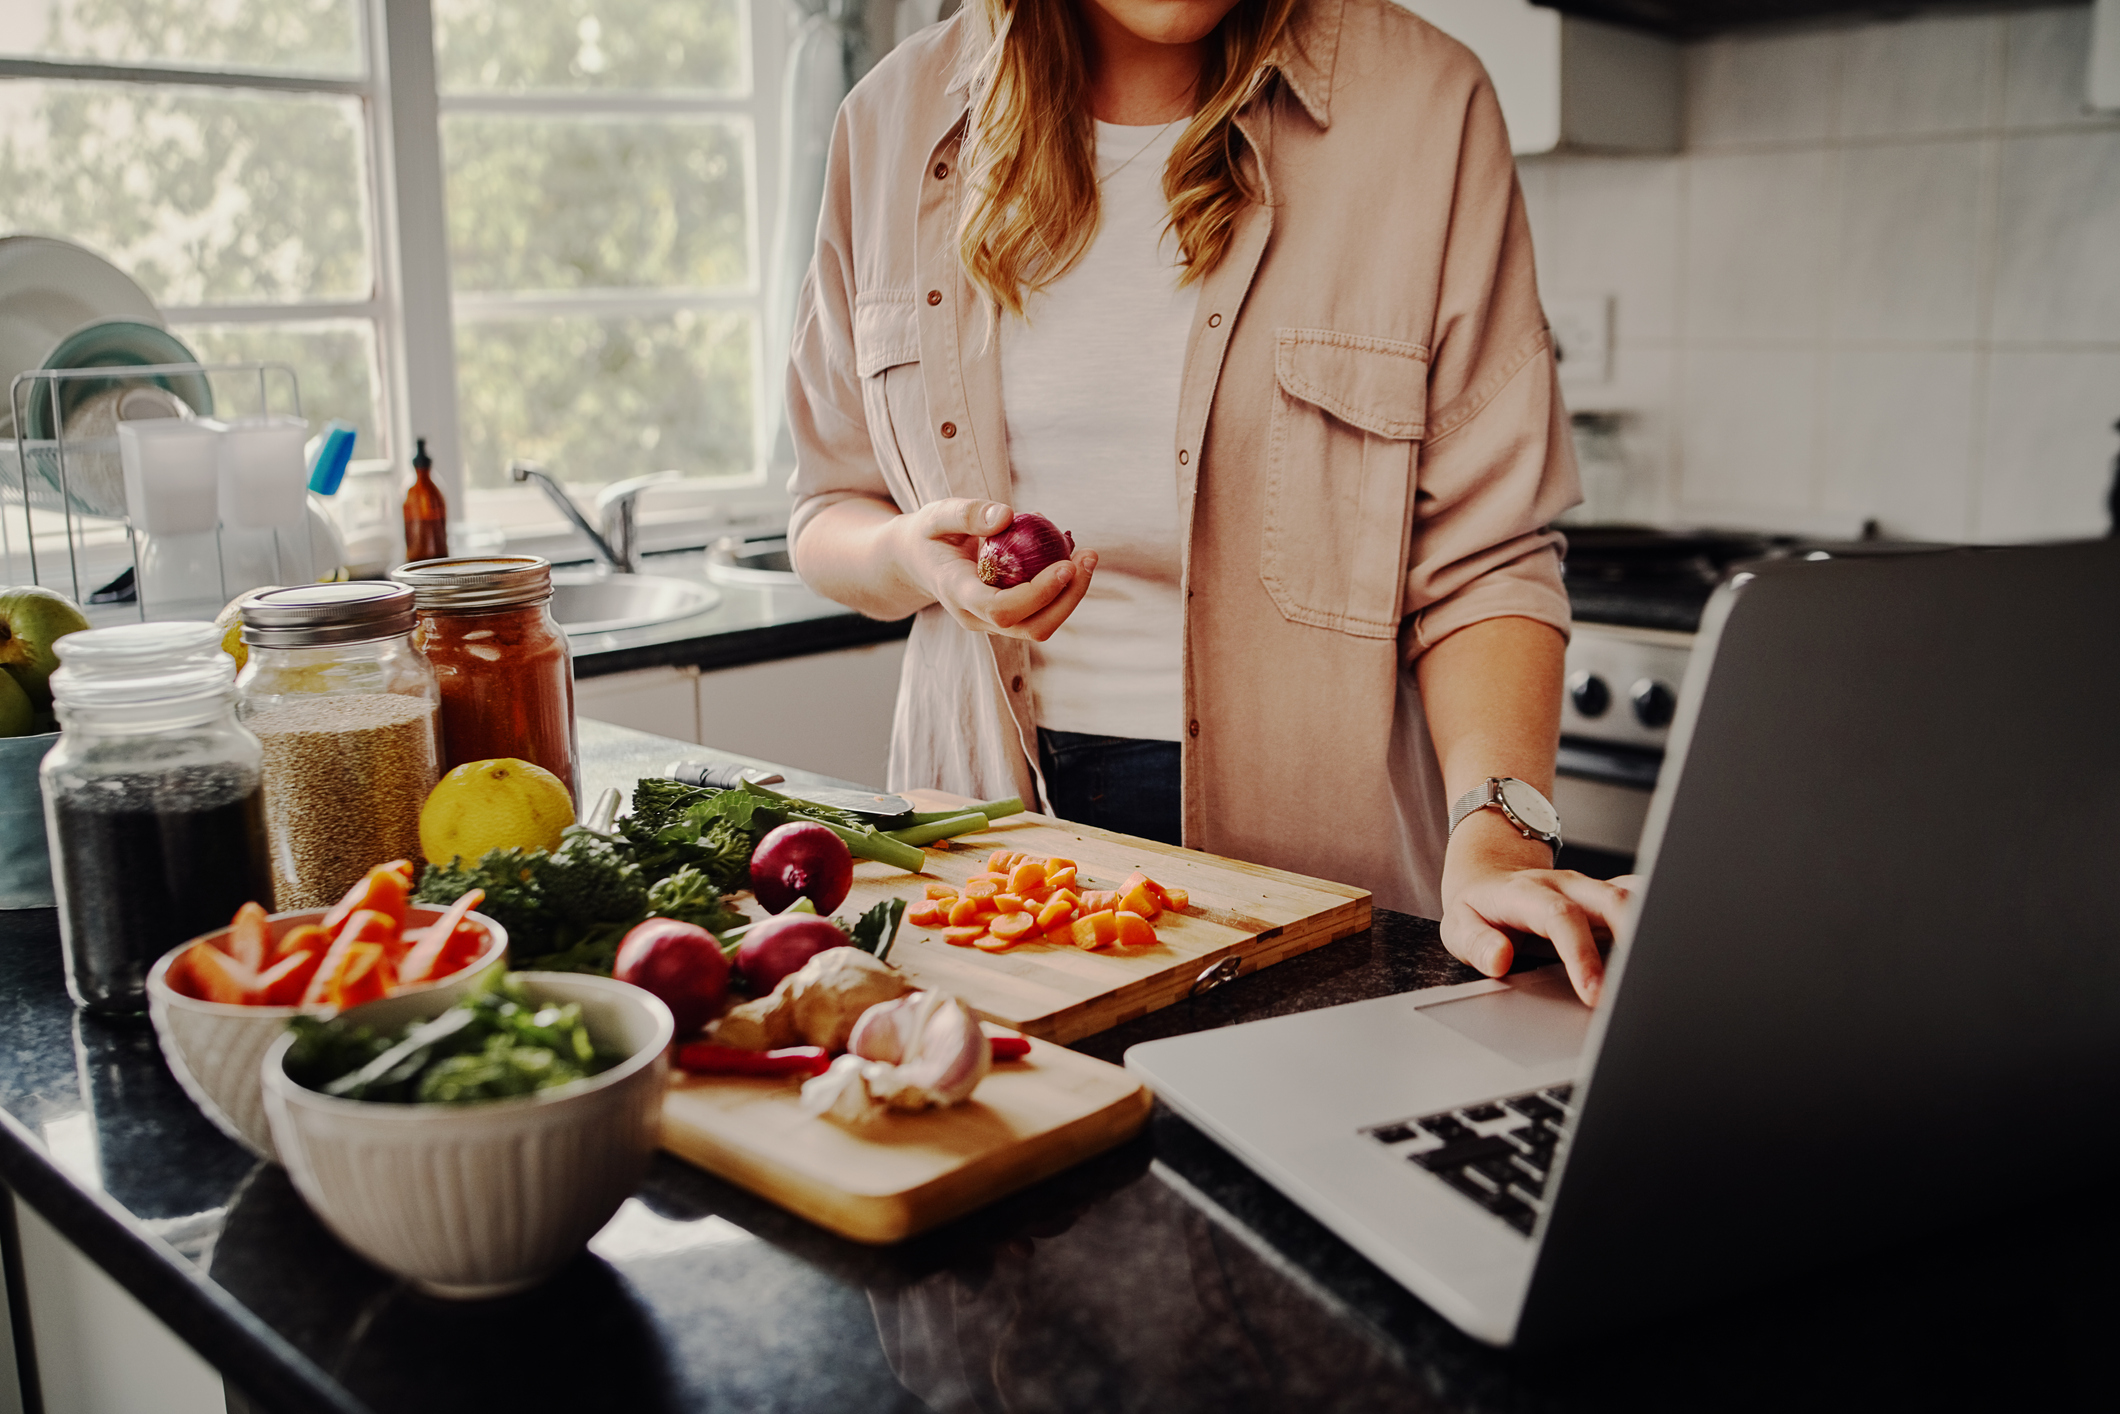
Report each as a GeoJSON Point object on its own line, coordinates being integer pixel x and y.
{"type": "Point", "coordinates": [474, 1201]}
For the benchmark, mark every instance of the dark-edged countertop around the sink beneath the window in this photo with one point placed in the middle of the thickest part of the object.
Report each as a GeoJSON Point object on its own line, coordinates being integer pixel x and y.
{"type": "Point", "coordinates": [747, 626]}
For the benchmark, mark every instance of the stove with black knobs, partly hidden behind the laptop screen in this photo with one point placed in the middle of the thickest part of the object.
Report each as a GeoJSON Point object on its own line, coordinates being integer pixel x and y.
{"type": "Point", "coordinates": [1638, 597]}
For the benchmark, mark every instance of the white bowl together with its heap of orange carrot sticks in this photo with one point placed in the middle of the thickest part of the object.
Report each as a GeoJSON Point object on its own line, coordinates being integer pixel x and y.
{"type": "Point", "coordinates": [222, 1000]}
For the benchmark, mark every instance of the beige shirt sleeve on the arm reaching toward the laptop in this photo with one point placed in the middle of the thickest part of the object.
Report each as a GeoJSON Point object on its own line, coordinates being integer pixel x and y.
{"type": "Point", "coordinates": [1498, 463]}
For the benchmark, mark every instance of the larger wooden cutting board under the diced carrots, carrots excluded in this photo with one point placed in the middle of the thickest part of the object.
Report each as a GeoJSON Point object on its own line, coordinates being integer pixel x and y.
{"type": "Point", "coordinates": [1063, 993]}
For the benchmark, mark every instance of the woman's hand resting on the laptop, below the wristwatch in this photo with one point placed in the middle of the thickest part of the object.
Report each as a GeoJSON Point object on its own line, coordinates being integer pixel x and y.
{"type": "Point", "coordinates": [1500, 889]}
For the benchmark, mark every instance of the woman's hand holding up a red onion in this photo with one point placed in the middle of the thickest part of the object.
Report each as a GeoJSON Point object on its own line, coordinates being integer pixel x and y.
{"type": "Point", "coordinates": [938, 548]}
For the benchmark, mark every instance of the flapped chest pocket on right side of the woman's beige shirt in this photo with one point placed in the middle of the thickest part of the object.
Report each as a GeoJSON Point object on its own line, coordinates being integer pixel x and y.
{"type": "Point", "coordinates": [1343, 457]}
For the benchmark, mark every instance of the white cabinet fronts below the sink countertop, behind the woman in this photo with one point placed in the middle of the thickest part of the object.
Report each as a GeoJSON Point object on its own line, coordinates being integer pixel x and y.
{"type": "Point", "coordinates": [828, 713]}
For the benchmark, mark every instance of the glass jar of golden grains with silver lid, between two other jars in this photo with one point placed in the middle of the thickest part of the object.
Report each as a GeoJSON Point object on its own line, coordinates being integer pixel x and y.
{"type": "Point", "coordinates": [344, 707]}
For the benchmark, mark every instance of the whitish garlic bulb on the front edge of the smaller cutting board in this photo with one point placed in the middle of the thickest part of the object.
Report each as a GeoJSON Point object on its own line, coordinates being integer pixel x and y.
{"type": "Point", "coordinates": [917, 1053]}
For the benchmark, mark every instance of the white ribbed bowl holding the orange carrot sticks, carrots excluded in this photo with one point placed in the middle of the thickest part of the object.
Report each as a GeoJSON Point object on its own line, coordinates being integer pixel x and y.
{"type": "Point", "coordinates": [215, 1048]}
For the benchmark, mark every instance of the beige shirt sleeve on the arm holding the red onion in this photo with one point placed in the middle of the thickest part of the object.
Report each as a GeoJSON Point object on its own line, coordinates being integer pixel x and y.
{"type": "Point", "coordinates": [834, 455]}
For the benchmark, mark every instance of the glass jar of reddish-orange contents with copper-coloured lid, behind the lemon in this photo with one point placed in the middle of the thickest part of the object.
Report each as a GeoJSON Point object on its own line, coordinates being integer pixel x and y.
{"type": "Point", "coordinates": [508, 682]}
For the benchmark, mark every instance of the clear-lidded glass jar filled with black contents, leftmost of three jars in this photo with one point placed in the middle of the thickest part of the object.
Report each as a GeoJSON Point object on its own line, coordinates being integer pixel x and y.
{"type": "Point", "coordinates": [154, 802]}
